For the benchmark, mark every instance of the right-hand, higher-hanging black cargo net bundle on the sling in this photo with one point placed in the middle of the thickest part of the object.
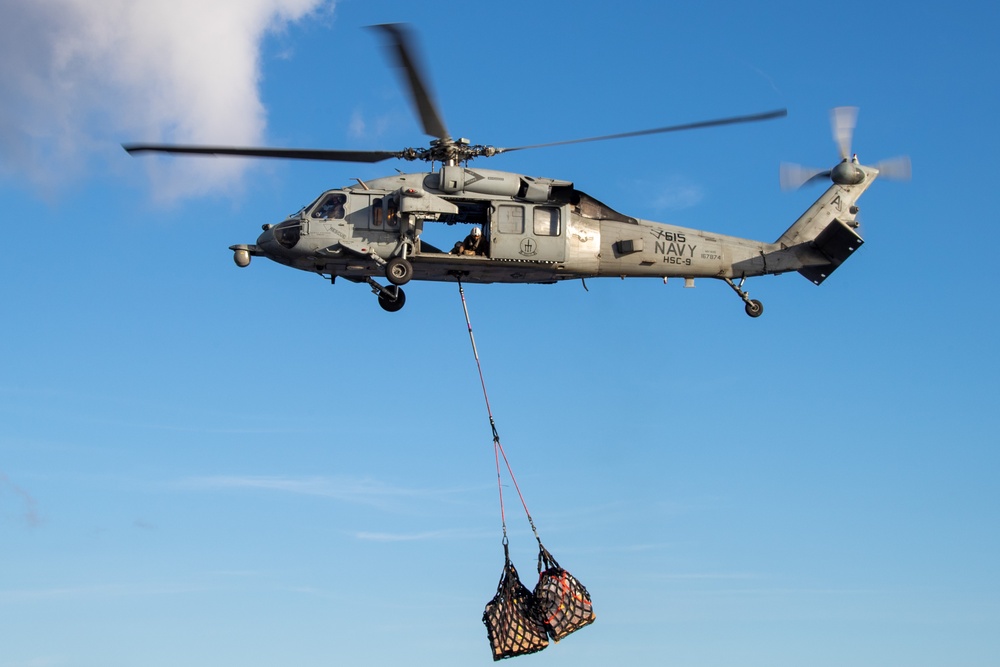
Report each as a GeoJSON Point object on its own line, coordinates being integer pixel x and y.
{"type": "Point", "coordinates": [561, 602]}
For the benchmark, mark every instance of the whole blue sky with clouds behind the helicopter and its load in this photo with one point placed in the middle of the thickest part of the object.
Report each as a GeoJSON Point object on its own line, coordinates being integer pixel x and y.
{"type": "Point", "coordinates": [207, 465]}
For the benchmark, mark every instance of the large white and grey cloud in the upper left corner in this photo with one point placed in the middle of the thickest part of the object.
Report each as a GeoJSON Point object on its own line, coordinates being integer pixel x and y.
{"type": "Point", "coordinates": [77, 77]}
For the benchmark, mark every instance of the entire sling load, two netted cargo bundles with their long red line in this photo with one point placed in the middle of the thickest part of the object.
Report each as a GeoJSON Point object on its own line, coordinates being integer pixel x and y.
{"type": "Point", "coordinates": [519, 621]}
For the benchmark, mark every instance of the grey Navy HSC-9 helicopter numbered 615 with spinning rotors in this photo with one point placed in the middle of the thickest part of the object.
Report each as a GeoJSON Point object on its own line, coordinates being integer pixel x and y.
{"type": "Point", "coordinates": [534, 230]}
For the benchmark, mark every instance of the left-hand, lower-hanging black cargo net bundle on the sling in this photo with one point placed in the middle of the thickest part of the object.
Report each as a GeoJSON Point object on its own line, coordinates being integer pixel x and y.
{"type": "Point", "coordinates": [511, 623]}
